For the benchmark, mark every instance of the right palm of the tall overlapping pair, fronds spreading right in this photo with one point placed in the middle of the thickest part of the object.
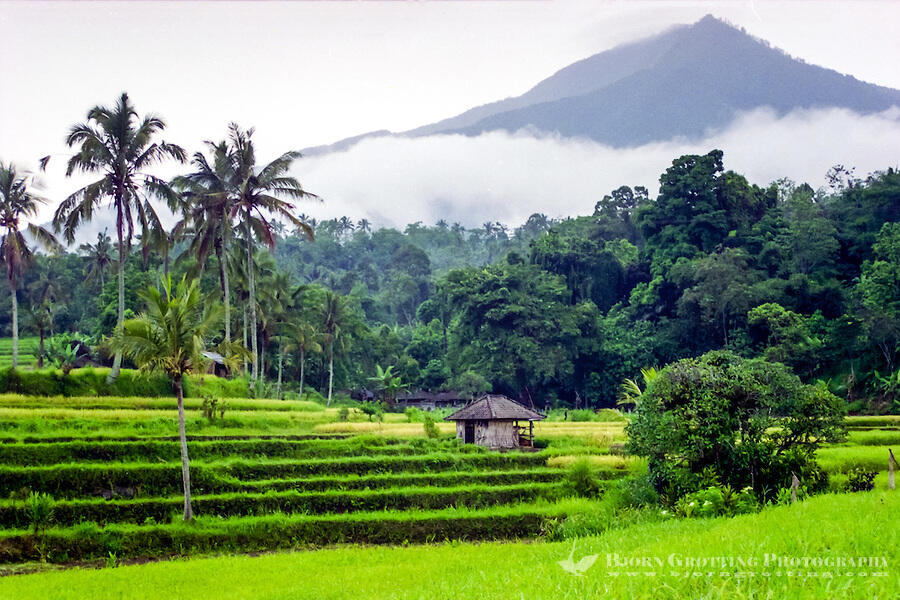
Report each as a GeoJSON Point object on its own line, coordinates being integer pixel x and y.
{"type": "Point", "coordinates": [257, 194]}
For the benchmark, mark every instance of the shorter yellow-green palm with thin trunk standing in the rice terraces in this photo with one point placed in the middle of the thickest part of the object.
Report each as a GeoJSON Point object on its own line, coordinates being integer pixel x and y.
{"type": "Point", "coordinates": [169, 337]}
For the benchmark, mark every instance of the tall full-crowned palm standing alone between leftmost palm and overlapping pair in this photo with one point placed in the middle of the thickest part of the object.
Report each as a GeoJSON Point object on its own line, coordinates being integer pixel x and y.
{"type": "Point", "coordinates": [117, 143]}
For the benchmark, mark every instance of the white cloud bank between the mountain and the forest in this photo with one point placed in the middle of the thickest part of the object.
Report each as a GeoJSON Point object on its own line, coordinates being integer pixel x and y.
{"type": "Point", "coordinates": [506, 177]}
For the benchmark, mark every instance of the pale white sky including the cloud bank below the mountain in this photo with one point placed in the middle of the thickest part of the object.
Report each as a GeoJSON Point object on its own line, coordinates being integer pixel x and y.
{"type": "Point", "coordinates": [310, 73]}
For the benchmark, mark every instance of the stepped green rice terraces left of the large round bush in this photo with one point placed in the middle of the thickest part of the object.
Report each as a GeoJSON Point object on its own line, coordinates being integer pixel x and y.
{"type": "Point", "coordinates": [268, 475]}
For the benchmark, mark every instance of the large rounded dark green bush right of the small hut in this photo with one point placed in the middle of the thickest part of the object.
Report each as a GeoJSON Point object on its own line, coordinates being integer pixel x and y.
{"type": "Point", "coordinates": [691, 413]}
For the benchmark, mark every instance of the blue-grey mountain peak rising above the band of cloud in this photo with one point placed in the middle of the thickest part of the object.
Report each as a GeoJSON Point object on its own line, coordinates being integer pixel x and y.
{"type": "Point", "coordinates": [680, 83]}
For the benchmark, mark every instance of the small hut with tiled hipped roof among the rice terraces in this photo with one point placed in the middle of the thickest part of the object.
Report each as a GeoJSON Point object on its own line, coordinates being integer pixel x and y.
{"type": "Point", "coordinates": [496, 422]}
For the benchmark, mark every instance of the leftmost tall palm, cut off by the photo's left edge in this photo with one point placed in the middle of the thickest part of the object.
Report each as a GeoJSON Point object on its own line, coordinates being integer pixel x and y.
{"type": "Point", "coordinates": [18, 202]}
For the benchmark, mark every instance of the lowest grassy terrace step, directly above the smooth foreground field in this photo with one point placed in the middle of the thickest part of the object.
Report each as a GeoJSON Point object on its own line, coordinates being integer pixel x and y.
{"type": "Point", "coordinates": [242, 534]}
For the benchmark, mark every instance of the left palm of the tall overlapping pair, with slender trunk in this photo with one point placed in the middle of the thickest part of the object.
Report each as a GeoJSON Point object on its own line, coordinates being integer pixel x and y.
{"type": "Point", "coordinates": [208, 203]}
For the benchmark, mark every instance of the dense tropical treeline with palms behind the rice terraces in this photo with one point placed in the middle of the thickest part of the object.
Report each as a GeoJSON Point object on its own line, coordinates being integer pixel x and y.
{"type": "Point", "coordinates": [551, 312]}
